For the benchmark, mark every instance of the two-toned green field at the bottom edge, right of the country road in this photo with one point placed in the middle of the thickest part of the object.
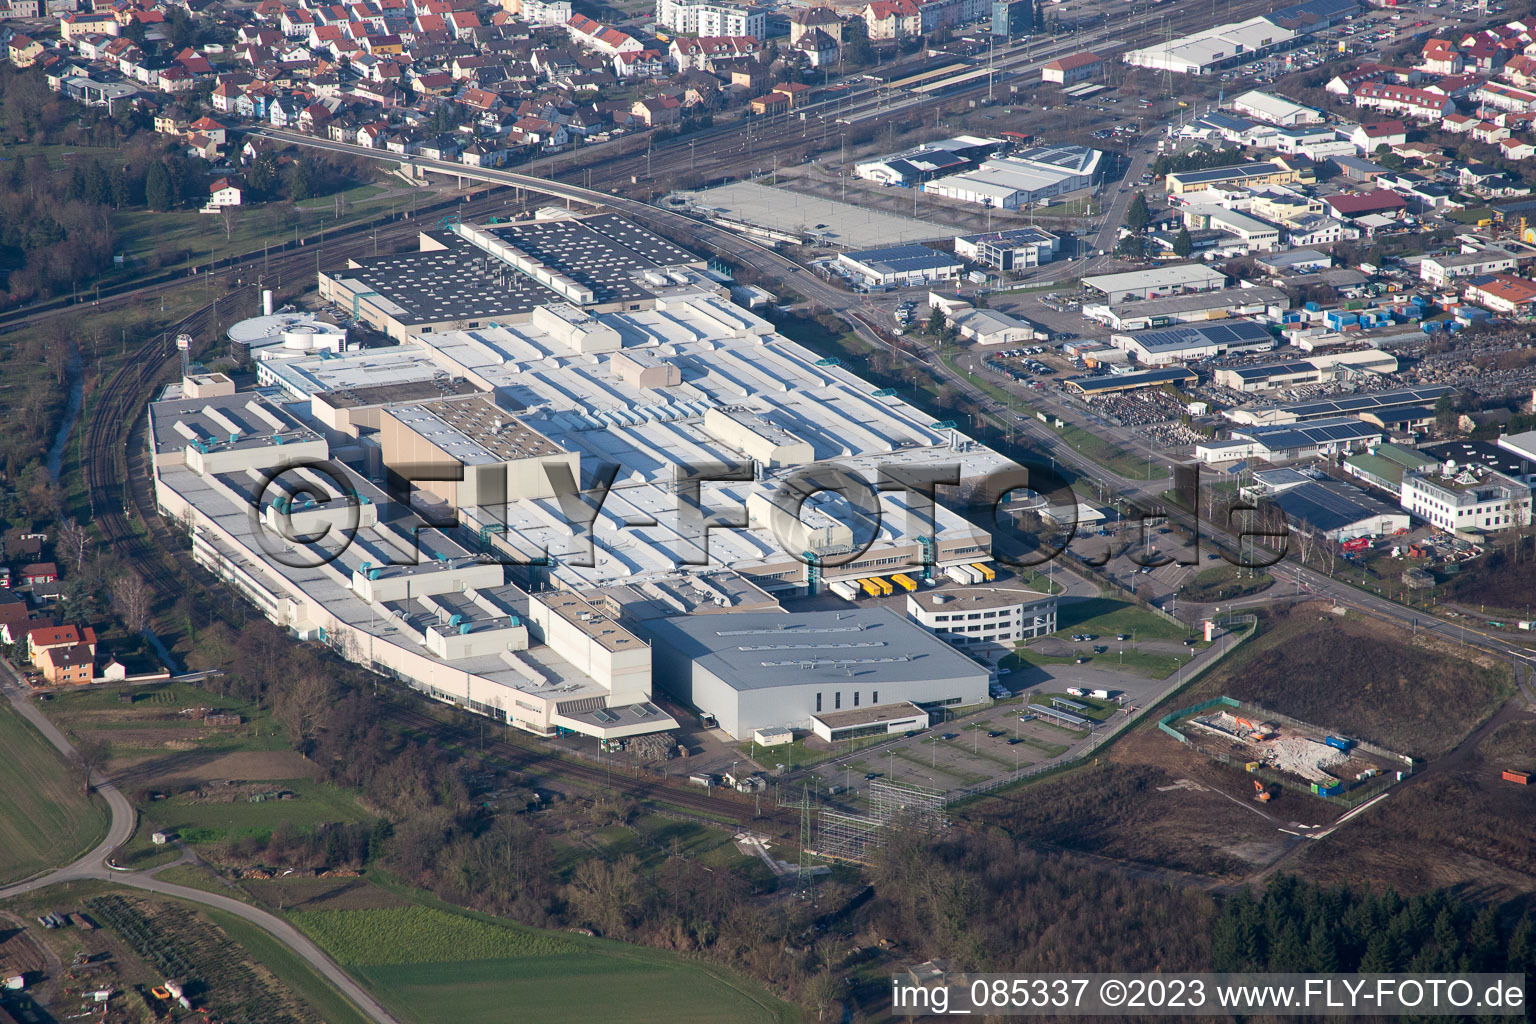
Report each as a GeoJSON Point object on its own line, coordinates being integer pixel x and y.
{"type": "Point", "coordinates": [431, 965]}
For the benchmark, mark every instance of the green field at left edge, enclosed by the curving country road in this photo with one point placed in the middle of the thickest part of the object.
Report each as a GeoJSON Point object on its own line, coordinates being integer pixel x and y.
{"type": "Point", "coordinates": [45, 821]}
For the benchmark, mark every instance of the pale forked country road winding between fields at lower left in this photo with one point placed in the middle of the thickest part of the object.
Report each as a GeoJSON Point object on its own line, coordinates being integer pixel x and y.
{"type": "Point", "coordinates": [94, 867]}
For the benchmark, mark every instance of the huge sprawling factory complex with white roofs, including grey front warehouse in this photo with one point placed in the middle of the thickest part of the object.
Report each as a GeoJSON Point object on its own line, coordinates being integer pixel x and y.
{"type": "Point", "coordinates": [624, 474]}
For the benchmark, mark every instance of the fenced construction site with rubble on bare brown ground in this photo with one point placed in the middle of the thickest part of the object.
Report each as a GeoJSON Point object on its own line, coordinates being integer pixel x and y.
{"type": "Point", "coordinates": [1280, 750]}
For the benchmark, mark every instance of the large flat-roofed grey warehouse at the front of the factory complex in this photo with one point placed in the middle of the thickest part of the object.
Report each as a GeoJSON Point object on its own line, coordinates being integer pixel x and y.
{"type": "Point", "coordinates": [760, 670]}
